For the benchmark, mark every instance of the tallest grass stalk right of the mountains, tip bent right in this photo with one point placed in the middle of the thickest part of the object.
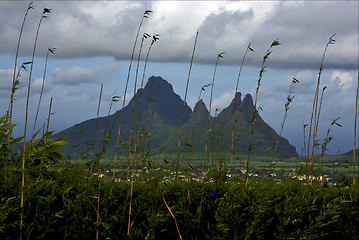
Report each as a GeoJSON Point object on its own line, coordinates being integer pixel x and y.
{"type": "Point", "coordinates": [315, 104]}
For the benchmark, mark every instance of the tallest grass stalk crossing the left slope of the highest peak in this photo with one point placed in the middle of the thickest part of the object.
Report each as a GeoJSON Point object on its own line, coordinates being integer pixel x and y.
{"type": "Point", "coordinates": [145, 15]}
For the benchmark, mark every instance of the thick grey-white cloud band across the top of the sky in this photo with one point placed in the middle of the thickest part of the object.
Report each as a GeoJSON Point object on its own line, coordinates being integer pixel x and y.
{"type": "Point", "coordinates": [85, 29]}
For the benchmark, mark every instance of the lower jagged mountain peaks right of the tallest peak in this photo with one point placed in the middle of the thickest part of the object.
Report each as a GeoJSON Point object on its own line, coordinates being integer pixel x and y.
{"type": "Point", "coordinates": [219, 138]}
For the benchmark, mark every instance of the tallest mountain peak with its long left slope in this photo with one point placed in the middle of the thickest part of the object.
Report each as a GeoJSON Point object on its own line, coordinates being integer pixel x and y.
{"type": "Point", "coordinates": [160, 111]}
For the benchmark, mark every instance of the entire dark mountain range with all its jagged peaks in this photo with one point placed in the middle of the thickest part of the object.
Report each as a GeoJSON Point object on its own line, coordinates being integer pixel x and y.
{"type": "Point", "coordinates": [159, 119]}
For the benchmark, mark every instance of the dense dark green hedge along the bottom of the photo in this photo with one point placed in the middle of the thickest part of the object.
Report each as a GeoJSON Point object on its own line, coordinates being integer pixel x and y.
{"type": "Point", "coordinates": [63, 205]}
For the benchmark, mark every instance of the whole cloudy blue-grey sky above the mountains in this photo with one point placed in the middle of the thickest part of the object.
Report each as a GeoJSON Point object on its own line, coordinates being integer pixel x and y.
{"type": "Point", "coordinates": [94, 40]}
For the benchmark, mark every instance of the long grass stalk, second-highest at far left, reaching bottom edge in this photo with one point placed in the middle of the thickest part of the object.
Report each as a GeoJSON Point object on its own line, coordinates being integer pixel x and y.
{"type": "Point", "coordinates": [44, 15]}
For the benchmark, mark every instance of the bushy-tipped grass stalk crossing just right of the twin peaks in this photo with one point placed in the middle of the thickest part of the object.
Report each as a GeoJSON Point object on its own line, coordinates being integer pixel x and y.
{"type": "Point", "coordinates": [255, 110]}
